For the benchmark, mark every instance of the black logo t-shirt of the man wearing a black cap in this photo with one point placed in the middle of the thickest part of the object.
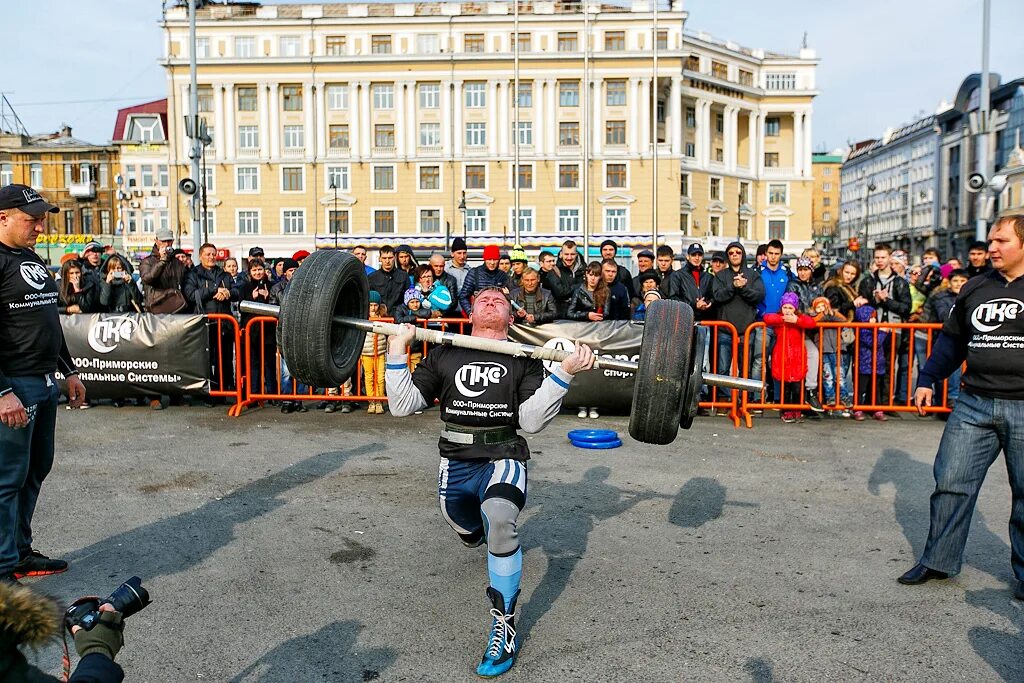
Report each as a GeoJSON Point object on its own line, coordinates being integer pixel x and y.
{"type": "Point", "coordinates": [31, 337]}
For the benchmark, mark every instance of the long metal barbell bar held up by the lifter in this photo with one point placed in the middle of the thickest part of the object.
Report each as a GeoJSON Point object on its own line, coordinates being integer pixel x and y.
{"type": "Point", "coordinates": [516, 350]}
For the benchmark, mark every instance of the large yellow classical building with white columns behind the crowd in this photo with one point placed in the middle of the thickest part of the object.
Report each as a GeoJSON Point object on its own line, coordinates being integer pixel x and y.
{"type": "Point", "coordinates": [396, 123]}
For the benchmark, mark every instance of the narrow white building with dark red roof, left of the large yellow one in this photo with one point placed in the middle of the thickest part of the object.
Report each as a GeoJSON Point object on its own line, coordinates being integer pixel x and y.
{"type": "Point", "coordinates": [144, 188]}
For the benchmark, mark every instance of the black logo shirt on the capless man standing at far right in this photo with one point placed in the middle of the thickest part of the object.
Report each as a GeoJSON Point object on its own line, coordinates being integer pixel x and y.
{"type": "Point", "coordinates": [988, 322]}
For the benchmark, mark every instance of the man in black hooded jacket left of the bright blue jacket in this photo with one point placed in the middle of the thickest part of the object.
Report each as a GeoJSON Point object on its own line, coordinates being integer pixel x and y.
{"type": "Point", "coordinates": [737, 290]}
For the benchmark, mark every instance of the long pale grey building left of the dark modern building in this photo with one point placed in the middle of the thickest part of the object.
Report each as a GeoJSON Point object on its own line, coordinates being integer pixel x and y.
{"type": "Point", "coordinates": [889, 190]}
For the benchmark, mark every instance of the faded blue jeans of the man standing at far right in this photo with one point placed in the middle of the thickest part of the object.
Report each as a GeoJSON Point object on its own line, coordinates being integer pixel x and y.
{"type": "Point", "coordinates": [977, 431]}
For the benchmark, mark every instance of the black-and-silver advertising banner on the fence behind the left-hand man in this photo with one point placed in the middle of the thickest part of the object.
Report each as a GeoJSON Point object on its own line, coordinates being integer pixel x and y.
{"type": "Point", "coordinates": [134, 355]}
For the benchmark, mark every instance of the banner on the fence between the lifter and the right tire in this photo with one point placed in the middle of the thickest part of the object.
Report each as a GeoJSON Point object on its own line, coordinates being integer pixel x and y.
{"type": "Point", "coordinates": [608, 390]}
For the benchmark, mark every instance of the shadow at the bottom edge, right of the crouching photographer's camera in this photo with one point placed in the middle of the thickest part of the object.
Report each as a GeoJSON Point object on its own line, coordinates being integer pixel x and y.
{"type": "Point", "coordinates": [328, 655]}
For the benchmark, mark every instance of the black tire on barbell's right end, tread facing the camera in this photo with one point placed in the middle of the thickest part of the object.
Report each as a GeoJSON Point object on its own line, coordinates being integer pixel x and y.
{"type": "Point", "coordinates": [664, 369]}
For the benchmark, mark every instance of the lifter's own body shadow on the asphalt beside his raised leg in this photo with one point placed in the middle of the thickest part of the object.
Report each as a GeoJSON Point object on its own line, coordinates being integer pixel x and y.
{"type": "Point", "coordinates": [561, 529]}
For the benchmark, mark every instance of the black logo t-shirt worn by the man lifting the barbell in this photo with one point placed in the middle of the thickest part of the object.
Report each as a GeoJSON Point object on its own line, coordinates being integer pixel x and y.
{"type": "Point", "coordinates": [479, 390]}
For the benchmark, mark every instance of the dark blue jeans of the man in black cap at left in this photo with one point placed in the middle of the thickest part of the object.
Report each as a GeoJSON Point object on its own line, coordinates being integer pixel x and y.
{"type": "Point", "coordinates": [26, 459]}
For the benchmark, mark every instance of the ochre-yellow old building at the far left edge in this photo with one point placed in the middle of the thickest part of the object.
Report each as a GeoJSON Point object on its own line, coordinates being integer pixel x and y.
{"type": "Point", "coordinates": [71, 174]}
